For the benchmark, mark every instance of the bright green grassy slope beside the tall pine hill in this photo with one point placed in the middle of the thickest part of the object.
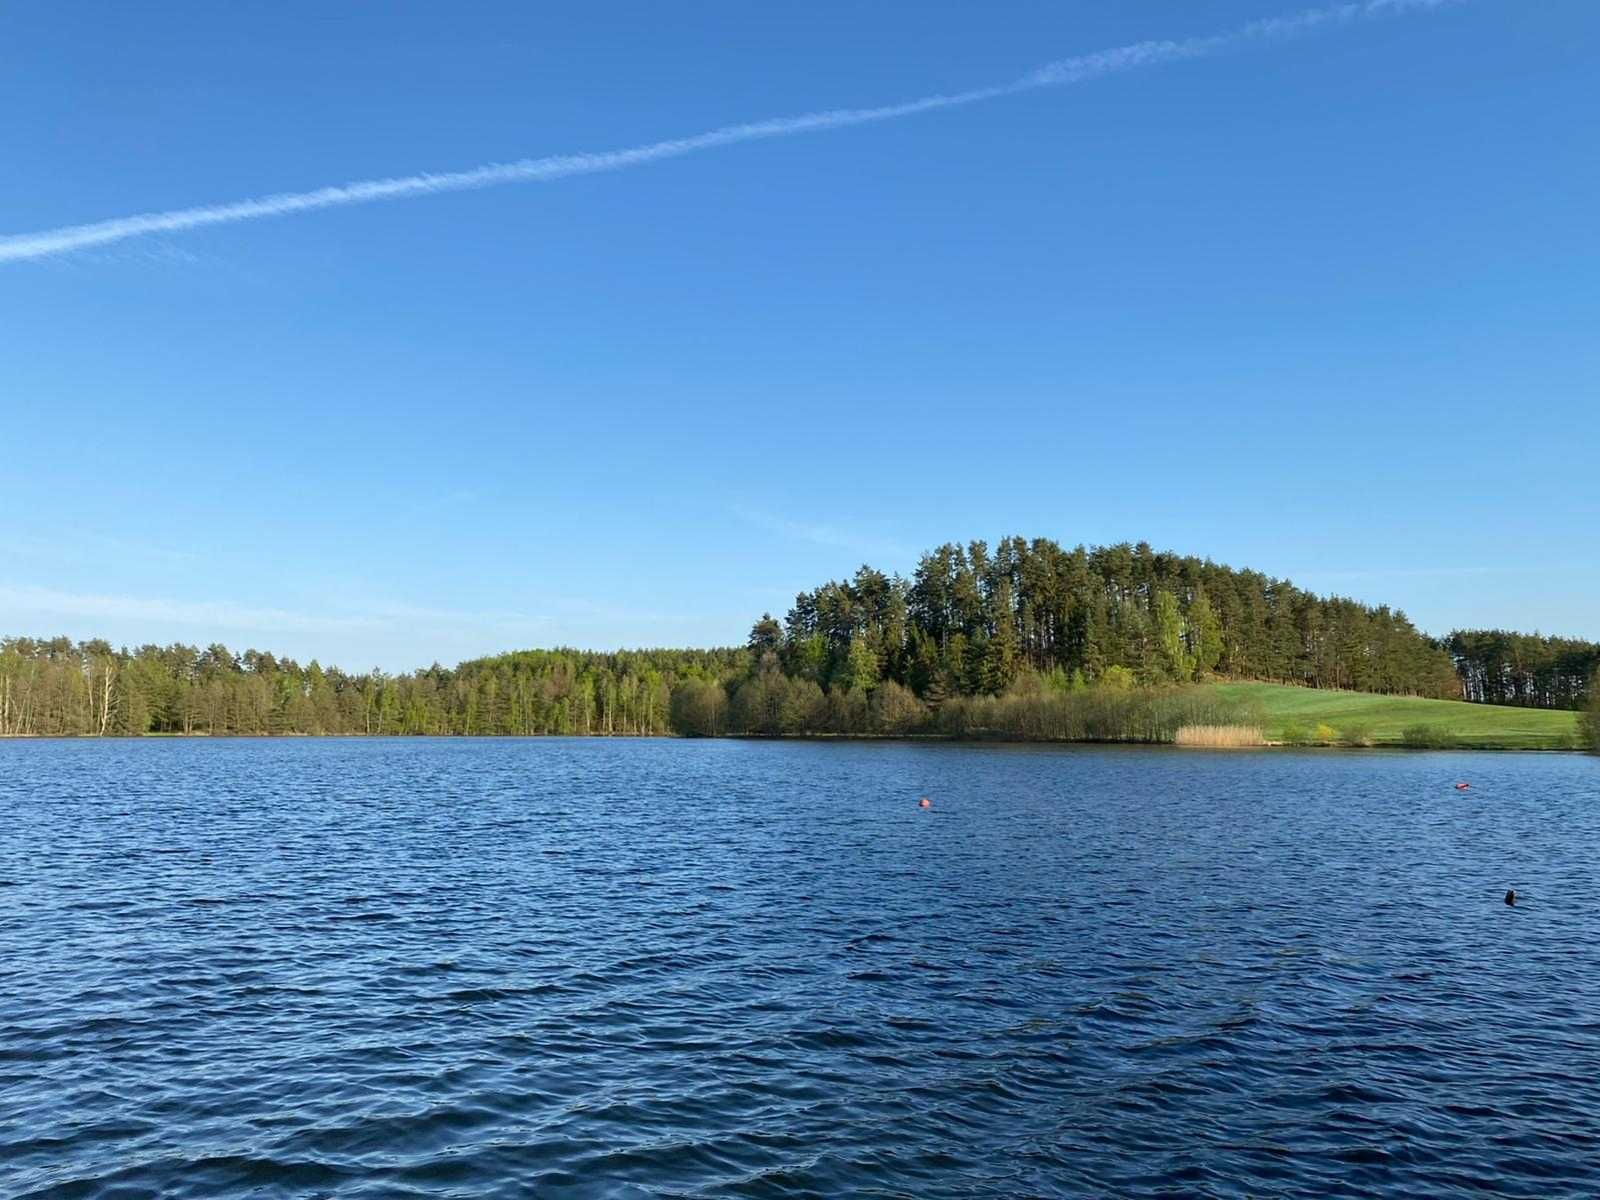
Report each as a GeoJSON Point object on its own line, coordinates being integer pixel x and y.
{"type": "Point", "coordinates": [1385, 718]}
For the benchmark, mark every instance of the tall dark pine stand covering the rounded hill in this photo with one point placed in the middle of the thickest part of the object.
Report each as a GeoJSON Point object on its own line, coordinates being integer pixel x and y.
{"type": "Point", "coordinates": [972, 620]}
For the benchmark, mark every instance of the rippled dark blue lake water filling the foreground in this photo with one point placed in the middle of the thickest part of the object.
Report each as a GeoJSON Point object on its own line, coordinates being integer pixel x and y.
{"type": "Point", "coordinates": [662, 969]}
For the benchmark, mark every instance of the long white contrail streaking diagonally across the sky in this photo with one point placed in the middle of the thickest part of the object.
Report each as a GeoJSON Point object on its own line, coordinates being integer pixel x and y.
{"type": "Point", "coordinates": [1065, 73]}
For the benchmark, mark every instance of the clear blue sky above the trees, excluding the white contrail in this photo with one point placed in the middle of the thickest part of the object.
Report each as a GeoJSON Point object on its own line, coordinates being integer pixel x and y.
{"type": "Point", "coordinates": [1322, 306]}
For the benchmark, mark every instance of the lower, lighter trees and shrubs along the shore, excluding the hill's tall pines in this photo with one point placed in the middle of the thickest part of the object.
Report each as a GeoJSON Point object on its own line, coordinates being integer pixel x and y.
{"type": "Point", "coordinates": [58, 687]}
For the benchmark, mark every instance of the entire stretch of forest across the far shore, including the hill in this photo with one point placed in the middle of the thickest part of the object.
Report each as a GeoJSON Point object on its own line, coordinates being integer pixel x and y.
{"type": "Point", "coordinates": [1026, 639]}
